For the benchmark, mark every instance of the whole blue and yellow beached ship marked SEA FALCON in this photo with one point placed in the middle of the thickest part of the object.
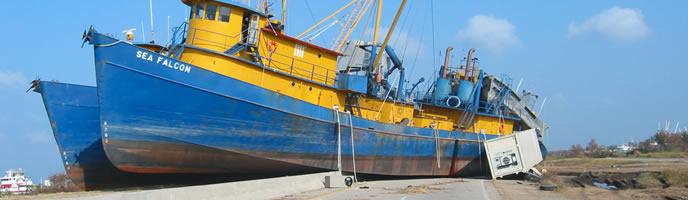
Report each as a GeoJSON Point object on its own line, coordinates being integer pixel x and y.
{"type": "Point", "coordinates": [234, 94]}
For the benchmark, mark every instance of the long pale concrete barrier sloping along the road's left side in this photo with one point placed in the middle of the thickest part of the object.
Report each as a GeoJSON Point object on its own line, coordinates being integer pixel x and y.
{"type": "Point", "coordinates": [252, 189]}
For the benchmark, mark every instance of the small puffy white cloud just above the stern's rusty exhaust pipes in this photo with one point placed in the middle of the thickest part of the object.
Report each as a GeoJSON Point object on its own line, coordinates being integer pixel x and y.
{"type": "Point", "coordinates": [489, 32]}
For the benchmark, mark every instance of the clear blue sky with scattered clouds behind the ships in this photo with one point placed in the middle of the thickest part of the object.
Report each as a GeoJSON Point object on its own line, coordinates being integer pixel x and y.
{"type": "Point", "coordinates": [611, 70]}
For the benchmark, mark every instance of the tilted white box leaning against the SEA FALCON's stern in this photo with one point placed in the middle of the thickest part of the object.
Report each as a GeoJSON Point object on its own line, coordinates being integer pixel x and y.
{"type": "Point", "coordinates": [511, 154]}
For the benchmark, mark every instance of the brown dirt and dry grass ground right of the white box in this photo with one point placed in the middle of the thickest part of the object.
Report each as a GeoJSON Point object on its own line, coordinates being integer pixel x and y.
{"type": "Point", "coordinates": [624, 178]}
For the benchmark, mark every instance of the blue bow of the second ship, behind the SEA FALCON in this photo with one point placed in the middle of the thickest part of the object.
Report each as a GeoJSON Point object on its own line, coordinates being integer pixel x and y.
{"type": "Point", "coordinates": [73, 114]}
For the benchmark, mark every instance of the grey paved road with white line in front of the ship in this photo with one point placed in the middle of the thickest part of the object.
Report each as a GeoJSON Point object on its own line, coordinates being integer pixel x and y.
{"type": "Point", "coordinates": [442, 188]}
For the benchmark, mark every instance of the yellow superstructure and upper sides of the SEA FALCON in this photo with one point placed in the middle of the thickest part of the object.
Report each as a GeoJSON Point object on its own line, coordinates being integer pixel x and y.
{"type": "Point", "coordinates": [297, 68]}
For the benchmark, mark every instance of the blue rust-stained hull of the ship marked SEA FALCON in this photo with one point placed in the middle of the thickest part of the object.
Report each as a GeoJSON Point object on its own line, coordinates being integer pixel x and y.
{"type": "Point", "coordinates": [179, 118]}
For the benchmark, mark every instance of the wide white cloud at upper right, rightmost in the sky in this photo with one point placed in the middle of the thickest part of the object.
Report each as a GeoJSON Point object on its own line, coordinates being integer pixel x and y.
{"type": "Point", "coordinates": [616, 23]}
